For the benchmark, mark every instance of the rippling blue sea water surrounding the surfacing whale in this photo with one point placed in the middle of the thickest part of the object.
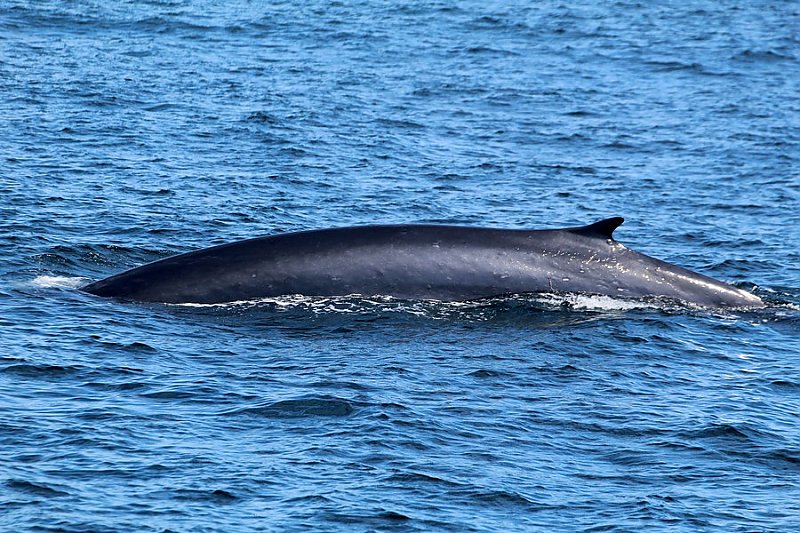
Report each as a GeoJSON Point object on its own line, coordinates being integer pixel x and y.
{"type": "Point", "coordinates": [130, 131]}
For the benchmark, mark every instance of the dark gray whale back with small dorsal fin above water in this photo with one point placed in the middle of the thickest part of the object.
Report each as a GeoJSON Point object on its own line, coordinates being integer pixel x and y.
{"type": "Point", "coordinates": [446, 263]}
